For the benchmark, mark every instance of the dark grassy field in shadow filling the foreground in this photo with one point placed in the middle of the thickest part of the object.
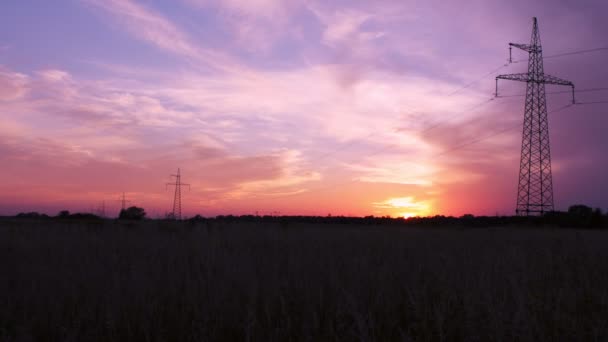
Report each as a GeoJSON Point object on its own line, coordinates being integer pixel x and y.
{"type": "Point", "coordinates": [239, 281]}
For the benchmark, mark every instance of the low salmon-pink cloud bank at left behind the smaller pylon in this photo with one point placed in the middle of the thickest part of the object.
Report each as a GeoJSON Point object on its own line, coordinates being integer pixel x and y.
{"type": "Point", "coordinates": [216, 175]}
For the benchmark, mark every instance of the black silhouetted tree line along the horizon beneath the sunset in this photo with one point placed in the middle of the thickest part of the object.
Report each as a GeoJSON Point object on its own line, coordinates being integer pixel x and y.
{"type": "Point", "coordinates": [577, 216]}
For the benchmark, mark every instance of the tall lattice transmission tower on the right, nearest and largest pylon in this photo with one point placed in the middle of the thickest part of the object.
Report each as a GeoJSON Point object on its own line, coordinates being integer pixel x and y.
{"type": "Point", "coordinates": [535, 188]}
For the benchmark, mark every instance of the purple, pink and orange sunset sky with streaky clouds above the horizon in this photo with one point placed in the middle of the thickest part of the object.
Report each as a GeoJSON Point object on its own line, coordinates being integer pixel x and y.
{"type": "Point", "coordinates": [305, 107]}
